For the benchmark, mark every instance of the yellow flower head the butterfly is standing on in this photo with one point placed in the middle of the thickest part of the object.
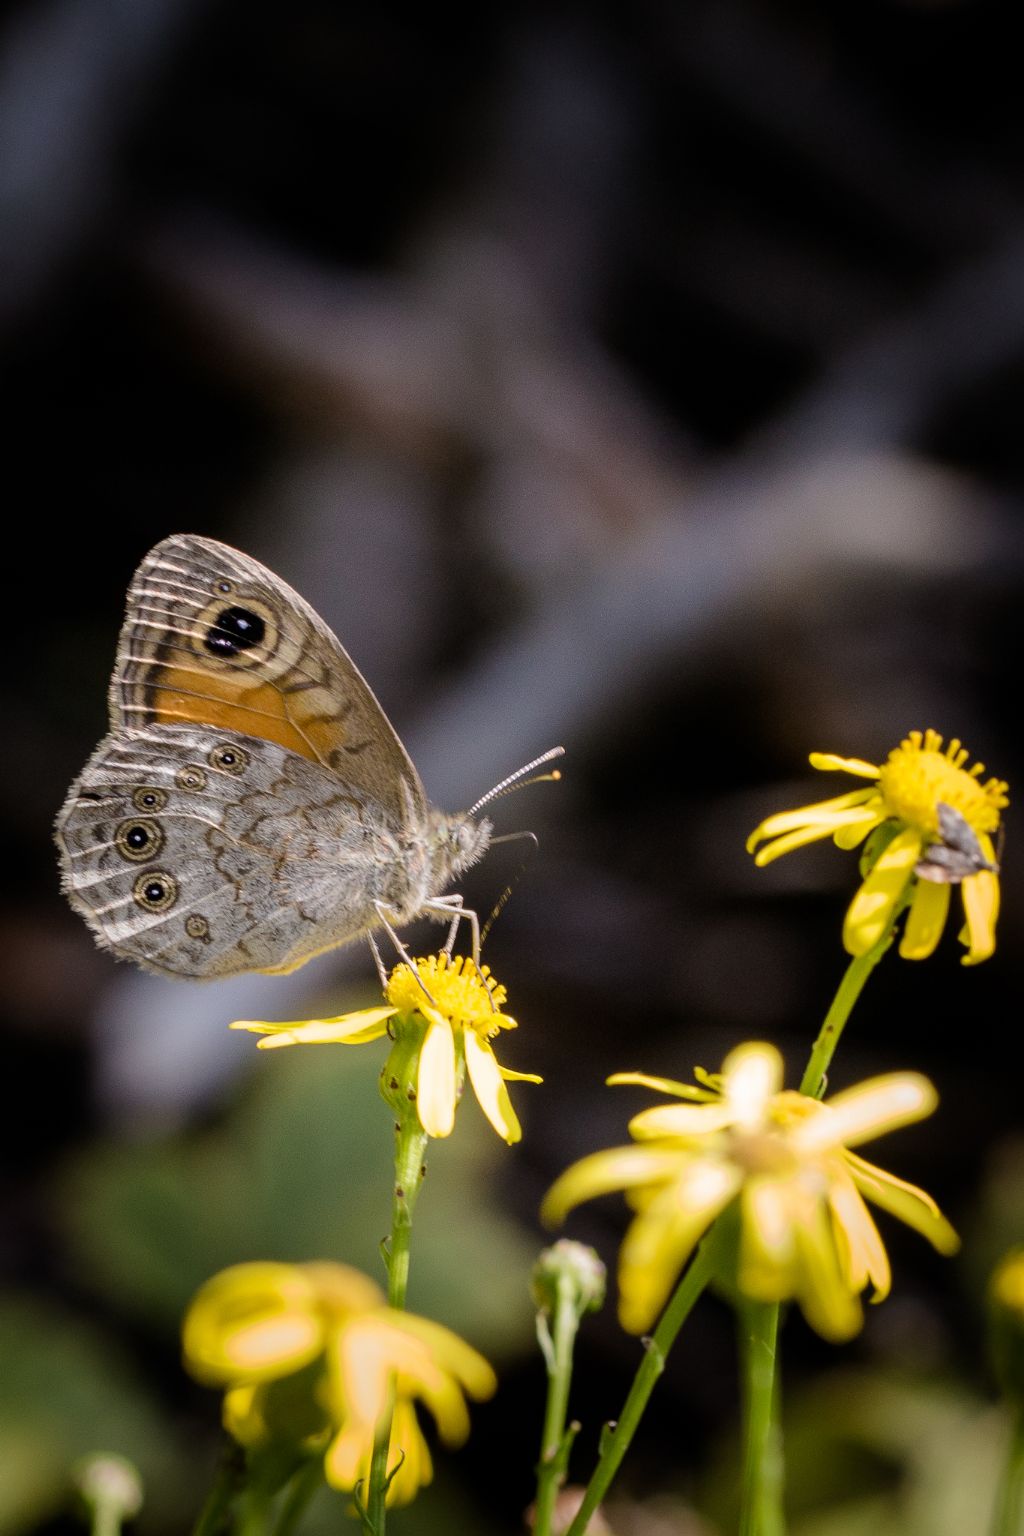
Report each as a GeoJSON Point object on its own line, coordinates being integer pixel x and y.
{"type": "Point", "coordinates": [454, 1010]}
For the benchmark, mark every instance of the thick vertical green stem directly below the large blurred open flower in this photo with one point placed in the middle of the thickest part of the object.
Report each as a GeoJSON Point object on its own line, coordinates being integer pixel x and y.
{"type": "Point", "coordinates": [761, 1509]}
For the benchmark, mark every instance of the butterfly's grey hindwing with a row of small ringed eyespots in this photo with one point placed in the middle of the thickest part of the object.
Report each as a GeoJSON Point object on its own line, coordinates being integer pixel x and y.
{"type": "Point", "coordinates": [197, 852]}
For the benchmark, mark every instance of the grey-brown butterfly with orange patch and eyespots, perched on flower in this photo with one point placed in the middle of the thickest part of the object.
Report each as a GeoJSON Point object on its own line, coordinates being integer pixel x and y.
{"type": "Point", "coordinates": [251, 806]}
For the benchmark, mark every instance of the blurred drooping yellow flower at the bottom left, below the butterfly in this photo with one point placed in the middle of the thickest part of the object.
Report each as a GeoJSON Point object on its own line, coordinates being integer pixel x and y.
{"type": "Point", "coordinates": [311, 1352]}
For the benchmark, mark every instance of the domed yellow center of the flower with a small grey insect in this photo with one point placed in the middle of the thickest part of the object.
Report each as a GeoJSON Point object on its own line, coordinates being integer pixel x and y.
{"type": "Point", "coordinates": [919, 776]}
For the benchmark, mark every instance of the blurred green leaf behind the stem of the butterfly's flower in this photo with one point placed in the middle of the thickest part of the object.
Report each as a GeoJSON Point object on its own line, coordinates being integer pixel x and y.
{"type": "Point", "coordinates": [302, 1170]}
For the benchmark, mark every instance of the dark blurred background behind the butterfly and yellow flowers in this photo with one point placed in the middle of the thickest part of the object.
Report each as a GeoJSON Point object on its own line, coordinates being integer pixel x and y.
{"type": "Point", "coordinates": [646, 380]}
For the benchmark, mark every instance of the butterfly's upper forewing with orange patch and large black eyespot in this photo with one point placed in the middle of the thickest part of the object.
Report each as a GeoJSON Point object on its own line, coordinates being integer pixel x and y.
{"type": "Point", "coordinates": [214, 638]}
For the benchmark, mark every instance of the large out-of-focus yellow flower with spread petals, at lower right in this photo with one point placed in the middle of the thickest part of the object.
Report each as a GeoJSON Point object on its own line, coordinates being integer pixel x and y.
{"type": "Point", "coordinates": [805, 1228]}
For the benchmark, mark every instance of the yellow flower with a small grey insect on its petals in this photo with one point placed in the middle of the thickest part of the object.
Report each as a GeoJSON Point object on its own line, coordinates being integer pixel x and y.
{"type": "Point", "coordinates": [942, 821]}
